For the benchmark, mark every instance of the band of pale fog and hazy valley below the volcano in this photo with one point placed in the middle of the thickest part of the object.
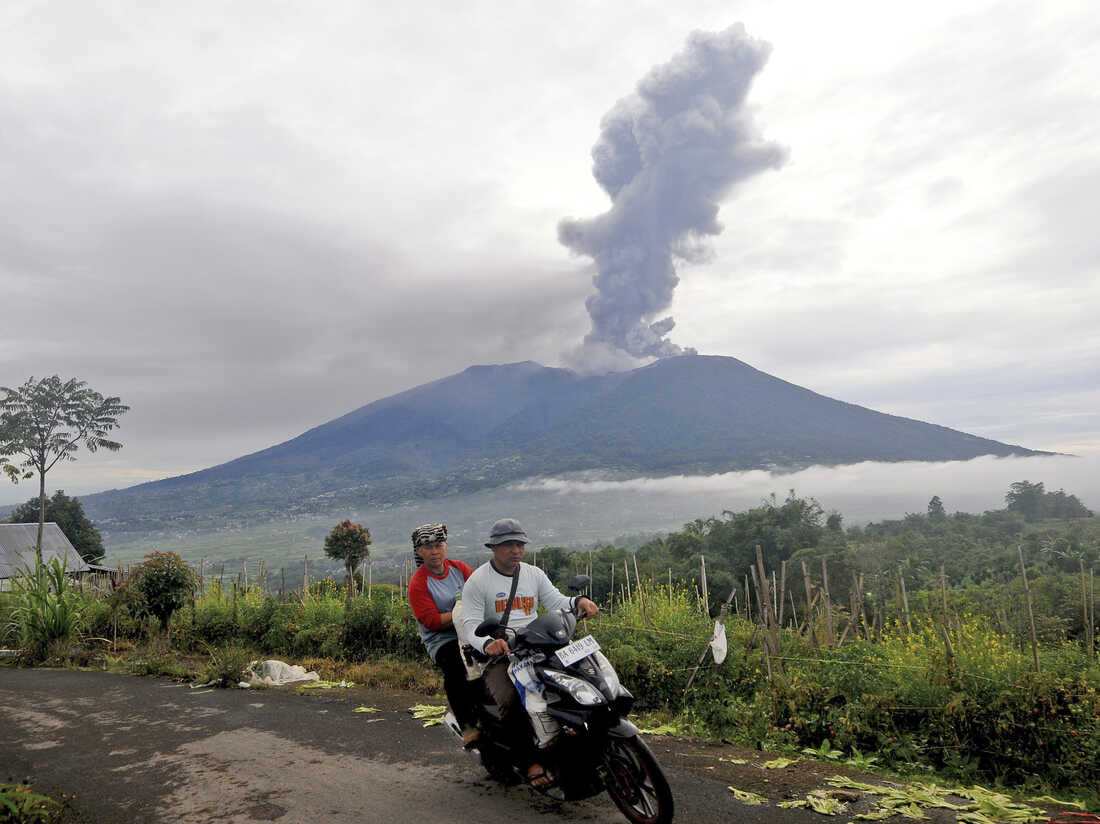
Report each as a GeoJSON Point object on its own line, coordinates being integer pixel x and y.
{"type": "Point", "coordinates": [581, 512]}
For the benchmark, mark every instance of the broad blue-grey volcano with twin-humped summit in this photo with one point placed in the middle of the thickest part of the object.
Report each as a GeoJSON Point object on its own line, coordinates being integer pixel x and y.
{"type": "Point", "coordinates": [493, 425]}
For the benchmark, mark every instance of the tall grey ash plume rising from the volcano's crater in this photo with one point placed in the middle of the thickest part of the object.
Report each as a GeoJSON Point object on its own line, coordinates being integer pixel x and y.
{"type": "Point", "coordinates": [667, 156]}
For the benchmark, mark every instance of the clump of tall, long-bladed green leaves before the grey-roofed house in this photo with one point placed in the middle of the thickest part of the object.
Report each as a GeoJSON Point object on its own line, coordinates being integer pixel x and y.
{"type": "Point", "coordinates": [46, 612]}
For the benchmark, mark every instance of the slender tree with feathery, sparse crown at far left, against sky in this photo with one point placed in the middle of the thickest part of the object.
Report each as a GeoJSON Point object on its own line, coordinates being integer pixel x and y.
{"type": "Point", "coordinates": [46, 422]}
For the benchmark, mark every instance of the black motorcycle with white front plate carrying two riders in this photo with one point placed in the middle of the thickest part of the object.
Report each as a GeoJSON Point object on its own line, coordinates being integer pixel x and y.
{"type": "Point", "coordinates": [595, 746]}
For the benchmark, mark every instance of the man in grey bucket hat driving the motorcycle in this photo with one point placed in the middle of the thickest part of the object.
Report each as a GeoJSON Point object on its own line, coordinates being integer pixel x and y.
{"type": "Point", "coordinates": [511, 591]}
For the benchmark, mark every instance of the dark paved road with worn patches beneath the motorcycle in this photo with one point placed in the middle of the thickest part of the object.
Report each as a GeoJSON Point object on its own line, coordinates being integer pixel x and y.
{"type": "Point", "coordinates": [141, 750]}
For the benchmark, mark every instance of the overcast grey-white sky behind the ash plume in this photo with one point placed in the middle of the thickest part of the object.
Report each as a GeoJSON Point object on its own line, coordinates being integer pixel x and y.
{"type": "Point", "coordinates": [247, 219]}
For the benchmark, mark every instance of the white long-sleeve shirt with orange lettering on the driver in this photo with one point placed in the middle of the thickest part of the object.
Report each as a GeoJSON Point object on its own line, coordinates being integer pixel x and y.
{"type": "Point", "coordinates": [486, 596]}
